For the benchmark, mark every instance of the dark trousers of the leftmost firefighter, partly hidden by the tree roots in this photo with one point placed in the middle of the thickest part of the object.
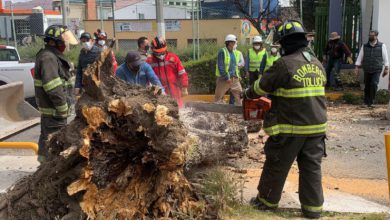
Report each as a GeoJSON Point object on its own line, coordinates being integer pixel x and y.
{"type": "Point", "coordinates": [49, 125]}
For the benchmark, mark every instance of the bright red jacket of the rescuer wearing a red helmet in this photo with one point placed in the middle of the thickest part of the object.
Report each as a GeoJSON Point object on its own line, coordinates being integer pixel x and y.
{"type": "Point", "coordinates": [171, 73]}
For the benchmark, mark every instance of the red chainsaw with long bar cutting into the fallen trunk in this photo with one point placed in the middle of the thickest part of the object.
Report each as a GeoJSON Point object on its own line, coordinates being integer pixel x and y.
{"type": "Point", "coordinates": [252, 109]}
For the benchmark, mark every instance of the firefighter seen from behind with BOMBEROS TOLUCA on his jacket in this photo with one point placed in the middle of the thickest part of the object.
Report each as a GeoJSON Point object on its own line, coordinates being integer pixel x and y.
{"type": "Point", "coordinates": [296, 122]}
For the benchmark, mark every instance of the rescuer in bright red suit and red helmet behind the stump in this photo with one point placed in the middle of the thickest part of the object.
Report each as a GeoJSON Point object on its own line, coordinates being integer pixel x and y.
{"type": "Point", "coordinates": [169, 70]}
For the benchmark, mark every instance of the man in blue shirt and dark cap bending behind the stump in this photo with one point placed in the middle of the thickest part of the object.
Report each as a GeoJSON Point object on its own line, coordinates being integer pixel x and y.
{"type": "Point", "coordinates": [137, 71]}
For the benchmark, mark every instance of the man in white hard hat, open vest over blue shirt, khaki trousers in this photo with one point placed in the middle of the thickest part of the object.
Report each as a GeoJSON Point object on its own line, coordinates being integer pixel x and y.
{"type": "Point", "coordinates": [227, 71]}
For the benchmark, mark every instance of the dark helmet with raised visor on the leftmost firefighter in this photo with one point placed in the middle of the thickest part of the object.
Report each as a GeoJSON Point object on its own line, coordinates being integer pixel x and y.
{"type": "Point", "coordinates": [60, 33]}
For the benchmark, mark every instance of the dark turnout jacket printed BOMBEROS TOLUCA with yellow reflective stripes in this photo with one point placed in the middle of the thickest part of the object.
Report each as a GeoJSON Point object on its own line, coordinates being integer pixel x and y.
{"type": "Point", "coordinates": [296, 84]}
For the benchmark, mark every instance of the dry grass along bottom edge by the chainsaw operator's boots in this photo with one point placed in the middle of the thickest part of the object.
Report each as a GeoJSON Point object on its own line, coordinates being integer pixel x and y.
{"type": "Point", "coordinates": [222, 187]}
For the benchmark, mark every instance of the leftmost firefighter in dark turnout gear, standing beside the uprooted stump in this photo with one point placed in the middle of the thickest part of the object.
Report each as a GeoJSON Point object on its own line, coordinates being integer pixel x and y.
{"type": "Point", "coordinates": [52, 82]}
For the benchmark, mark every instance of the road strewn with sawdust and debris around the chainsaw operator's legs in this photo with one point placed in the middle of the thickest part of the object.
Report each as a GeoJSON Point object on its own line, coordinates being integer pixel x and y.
{"type": "Point", "coordinates": [356, 161]}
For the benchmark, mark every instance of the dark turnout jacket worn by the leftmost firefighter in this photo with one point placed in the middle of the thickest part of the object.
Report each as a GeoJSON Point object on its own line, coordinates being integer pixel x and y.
{"type": "Point", "coordinates": [53, 83]}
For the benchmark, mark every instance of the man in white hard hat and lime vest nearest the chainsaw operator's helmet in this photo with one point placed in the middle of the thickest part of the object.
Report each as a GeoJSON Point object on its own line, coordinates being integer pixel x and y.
{"type": "Point", "coordinates": [256, 60]}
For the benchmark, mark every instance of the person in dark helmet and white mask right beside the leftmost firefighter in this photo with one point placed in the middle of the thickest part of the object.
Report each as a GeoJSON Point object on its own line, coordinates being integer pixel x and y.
{"type": "Point", "coordinates": [88, 54]}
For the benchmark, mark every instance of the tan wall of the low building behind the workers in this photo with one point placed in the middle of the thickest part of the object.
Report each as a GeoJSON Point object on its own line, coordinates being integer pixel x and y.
{"type": "Point", "coordinates": [209, 29]}
